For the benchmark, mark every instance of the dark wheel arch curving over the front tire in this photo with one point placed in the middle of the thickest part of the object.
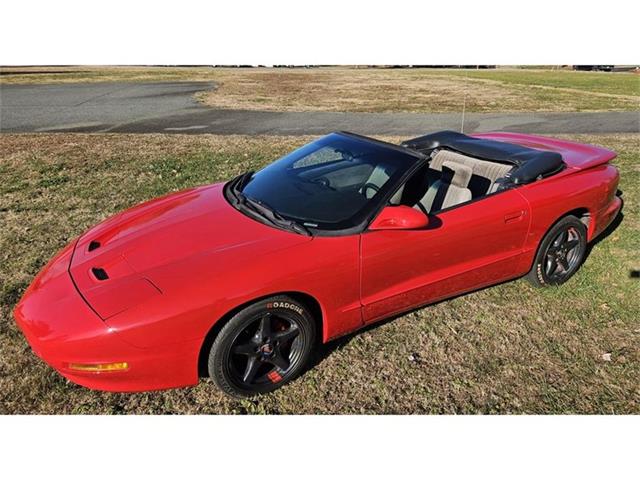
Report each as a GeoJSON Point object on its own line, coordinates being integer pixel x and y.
{"type": "Point", "coordinates": [308, 300]}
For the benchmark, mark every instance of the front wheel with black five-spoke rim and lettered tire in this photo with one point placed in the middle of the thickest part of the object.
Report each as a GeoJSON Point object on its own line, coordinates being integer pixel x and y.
{"type": "Point", "coordinates": [262, 347]}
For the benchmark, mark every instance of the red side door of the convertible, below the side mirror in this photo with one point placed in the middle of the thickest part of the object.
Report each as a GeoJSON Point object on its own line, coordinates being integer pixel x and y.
{"type": "Point", "coordinates": [463, 248]}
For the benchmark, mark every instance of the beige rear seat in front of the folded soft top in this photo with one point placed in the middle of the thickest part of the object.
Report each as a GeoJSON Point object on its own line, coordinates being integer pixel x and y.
{"type": "Point", "coordinates": [485, 173]}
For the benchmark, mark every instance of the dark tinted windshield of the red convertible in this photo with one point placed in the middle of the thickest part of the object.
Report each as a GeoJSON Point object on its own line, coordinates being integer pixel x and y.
{"type": "Point", "coordinates": [328, 184]}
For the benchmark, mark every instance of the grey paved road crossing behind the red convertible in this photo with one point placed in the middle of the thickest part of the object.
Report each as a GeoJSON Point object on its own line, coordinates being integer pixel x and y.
{"type": "Point", "coordinates": [170, 108]}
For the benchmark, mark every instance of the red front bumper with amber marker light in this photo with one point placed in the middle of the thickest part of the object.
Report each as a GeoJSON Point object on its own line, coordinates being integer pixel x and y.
{"type": "Point", "coordinates": [62, 330]}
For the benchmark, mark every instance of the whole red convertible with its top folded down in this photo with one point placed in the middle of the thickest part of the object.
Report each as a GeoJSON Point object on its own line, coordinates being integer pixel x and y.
{"type": "Point", "coordinates": [243, 279]}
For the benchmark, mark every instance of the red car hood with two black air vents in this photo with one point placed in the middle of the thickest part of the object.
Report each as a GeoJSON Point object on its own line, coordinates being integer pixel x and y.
{"type": "Point", "coordinates": [114, 263]}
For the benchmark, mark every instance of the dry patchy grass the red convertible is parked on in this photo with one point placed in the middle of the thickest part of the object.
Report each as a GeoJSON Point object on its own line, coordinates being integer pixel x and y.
{"type": "Point", "coordinates": [510, 348]}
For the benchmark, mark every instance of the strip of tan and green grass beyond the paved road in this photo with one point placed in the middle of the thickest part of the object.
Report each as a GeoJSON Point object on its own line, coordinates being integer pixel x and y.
{"type": "Point", "coordinates": [374, 89]}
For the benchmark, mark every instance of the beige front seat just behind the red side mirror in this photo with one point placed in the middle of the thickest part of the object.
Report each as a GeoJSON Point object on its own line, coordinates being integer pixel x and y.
{"type": "Point", "coordinates": [451, 189]}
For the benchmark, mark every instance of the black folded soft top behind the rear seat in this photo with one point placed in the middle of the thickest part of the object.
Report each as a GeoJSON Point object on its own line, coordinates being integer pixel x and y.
{"type": "Point", "coordinates": [530, 164]}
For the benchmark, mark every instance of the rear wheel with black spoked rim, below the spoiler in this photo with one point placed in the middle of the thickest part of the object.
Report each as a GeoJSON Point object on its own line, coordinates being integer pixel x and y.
{"type": "Point", "coordinates": [560, 254]}
